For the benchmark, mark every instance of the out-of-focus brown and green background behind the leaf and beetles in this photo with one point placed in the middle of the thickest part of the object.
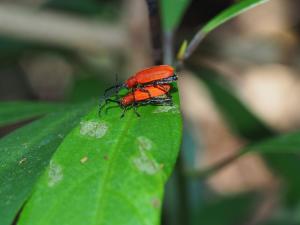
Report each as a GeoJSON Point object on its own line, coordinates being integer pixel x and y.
{"type": "Point", "coordinates": [241, 86]}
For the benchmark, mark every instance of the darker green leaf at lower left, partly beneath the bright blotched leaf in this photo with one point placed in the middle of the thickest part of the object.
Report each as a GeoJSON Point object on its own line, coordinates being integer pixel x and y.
{"type": "Point", "coordinates": [25, 153]}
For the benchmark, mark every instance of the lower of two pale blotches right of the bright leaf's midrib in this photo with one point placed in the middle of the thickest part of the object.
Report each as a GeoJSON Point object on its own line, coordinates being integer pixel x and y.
{"type": "Point", "coordinates": [146, 164]}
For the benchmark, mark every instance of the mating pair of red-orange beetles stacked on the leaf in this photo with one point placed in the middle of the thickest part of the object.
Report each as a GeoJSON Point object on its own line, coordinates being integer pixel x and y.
{"type": "Point", "coordinates": [149, 86]}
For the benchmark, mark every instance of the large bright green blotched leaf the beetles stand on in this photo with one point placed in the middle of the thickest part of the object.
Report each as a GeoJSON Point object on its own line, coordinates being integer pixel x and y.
{"type": "Point", "coordinates": [109, 170]}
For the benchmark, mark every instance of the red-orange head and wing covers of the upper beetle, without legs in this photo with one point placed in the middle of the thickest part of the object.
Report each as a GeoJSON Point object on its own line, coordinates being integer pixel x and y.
{"type": "Point", "coordinates": [149, 75]}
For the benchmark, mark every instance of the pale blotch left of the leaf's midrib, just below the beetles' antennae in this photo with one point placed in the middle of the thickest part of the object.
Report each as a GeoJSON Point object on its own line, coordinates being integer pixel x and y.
{"type": "Point", "coordinates": [93, 129]}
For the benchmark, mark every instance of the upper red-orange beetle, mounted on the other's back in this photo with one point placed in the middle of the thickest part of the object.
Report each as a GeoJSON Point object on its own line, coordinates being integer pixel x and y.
{"type": "Point", "coordinates": [155, 76]}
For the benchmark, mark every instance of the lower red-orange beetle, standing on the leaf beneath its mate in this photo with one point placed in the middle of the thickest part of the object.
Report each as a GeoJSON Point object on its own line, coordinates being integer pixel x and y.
{"type": "Point", "coordinates": [158, 96]}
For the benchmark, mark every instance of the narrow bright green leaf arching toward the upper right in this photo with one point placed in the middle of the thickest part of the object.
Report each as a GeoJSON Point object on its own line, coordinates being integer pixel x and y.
{"type": "Point", "coordinates": [221, 18]}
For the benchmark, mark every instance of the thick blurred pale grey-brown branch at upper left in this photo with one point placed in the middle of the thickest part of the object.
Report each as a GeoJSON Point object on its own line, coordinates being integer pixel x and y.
{"type": "Point", "coordinates": [60, 30]}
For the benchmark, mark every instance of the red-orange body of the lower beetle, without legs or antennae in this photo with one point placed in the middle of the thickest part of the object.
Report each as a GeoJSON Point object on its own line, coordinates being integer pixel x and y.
{"type": "Point", "coordinates": [147, 92]}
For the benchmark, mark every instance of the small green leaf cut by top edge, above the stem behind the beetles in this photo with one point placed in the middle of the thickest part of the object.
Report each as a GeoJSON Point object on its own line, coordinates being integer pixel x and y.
{"type": "Point", "coordinates": [172, 11]}
